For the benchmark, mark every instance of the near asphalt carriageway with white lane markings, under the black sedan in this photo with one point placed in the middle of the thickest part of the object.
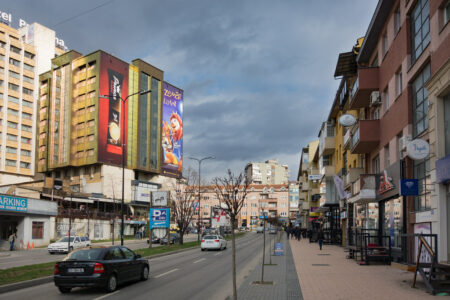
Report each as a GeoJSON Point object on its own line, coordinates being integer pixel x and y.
{"type": "Point", "coordinates": [191, 274]}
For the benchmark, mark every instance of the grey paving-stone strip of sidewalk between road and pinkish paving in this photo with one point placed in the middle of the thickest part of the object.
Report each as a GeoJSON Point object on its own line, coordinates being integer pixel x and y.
{"type": "Point", "coordinates": [282, 274]}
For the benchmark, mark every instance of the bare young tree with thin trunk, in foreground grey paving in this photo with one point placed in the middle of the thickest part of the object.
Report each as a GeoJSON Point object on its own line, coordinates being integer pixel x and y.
{"type": "Point", "coordinates": [231, 190]}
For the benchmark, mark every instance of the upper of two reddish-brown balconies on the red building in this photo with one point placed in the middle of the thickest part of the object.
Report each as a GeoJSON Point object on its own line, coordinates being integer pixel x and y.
{"type": "Point", "coordinates": [366, 83]}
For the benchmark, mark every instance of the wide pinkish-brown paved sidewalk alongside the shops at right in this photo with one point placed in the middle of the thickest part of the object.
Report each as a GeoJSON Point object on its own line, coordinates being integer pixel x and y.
{"type": "Point", "coordinates": [327, 274]}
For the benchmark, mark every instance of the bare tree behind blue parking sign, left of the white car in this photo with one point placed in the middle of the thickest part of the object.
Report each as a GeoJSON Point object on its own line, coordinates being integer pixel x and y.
{"type": "Point", "coordinates": [183, 204]}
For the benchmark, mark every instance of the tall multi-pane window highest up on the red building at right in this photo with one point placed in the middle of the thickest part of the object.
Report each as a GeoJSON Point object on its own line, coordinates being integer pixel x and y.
{"type": "Point", "coordinates": [420, 28]}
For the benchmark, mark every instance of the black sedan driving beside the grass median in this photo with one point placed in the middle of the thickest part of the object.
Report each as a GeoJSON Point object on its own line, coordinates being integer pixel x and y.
{"type": "Point", "coordinates": [100, 267]}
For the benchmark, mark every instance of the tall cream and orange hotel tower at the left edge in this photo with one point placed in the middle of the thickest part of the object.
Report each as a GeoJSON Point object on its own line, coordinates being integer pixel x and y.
{"type": "Point", "coordinates": [24, 54]}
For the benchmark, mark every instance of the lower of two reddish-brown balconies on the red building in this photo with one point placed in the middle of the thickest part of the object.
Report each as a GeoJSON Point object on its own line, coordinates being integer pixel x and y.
{"type": "Point", "coordinates": [366, 137]}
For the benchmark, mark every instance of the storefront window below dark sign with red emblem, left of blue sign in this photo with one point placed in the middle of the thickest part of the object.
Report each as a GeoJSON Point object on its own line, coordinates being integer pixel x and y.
{"type": "Point", "coordinates": [393, 222]}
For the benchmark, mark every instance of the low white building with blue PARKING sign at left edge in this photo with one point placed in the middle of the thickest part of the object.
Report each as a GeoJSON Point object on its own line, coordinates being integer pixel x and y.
{"type": "Point", "coordinates": [30, 219]}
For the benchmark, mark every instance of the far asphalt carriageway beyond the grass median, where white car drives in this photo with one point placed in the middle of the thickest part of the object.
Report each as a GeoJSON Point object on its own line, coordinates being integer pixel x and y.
{"type": "Point", "coordinates": [9, 259]}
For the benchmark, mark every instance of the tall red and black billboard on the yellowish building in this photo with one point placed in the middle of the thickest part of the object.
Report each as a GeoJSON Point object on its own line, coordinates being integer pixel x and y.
{"type": "Point", "coordinates": [112, 110]}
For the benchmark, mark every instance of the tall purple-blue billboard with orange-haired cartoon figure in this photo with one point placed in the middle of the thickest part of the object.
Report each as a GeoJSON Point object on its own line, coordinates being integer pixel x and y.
{"type": "Point", "coordinates": [172, 131]}
